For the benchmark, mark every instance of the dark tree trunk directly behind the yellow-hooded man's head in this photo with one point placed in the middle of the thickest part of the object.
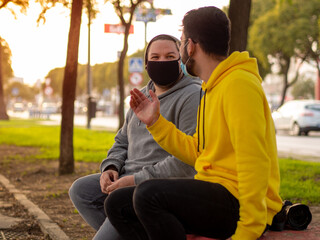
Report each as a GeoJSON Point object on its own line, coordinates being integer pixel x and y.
{"type": "Point", "coordinates": [239, 14]}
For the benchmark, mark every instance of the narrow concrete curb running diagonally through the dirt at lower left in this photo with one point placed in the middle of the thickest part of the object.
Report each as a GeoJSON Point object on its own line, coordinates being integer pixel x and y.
{"type": "Point", "coordinates": [47, 226]}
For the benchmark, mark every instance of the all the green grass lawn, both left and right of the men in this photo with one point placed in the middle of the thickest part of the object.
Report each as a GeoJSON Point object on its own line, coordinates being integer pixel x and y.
{"type": "Point", "coordinates": [300, 180]}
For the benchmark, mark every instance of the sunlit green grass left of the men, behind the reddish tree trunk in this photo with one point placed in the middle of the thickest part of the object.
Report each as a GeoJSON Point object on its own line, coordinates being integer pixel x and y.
{"type": "Point", "coordinates": [89, 145]}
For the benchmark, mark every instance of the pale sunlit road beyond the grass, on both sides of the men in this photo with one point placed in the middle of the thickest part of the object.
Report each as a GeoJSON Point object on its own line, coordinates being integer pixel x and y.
{"type": "Point", "coordinates": [297, 147]}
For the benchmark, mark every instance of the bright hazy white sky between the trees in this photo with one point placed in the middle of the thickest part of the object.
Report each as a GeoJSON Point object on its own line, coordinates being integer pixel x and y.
{"type": "Point", "coordinates": [37, 49]}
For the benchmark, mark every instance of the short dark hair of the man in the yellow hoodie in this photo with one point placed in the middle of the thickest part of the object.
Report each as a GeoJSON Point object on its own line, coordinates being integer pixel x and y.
{"type": "Point", "coordinates": [210, 27]}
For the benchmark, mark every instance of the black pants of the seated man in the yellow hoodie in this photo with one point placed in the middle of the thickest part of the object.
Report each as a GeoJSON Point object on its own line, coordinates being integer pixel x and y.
{"type": "Point", "coordinates": [171, 208]}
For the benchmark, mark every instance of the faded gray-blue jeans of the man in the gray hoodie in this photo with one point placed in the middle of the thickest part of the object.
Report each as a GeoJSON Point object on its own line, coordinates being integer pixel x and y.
{"type": "Point", "coordinates": [85, 194]}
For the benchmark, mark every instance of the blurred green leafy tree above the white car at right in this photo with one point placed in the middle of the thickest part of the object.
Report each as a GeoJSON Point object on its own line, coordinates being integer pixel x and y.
{"type": "Point", "coordinates": [288, 30]}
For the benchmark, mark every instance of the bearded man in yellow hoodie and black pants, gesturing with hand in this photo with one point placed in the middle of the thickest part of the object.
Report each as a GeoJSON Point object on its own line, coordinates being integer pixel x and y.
{"type": "Point", "coordinates": [235, 193]}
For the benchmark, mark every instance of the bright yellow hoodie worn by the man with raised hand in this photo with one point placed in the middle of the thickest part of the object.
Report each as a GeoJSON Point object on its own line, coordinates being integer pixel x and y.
{"type": "Point", "coordinates": [236, 129]}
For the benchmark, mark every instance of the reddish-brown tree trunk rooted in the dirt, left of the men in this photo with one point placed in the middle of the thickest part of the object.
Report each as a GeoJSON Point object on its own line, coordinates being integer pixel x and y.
{"type": "Point", "coordinates": [66, 160]}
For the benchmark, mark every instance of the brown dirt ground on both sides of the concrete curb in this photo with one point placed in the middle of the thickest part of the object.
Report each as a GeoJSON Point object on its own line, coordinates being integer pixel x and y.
{"type": "Point", "coordinates": [39, 181]}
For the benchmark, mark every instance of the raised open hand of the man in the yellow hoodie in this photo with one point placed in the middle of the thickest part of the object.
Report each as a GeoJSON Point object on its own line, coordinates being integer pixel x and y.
{"type": "Point", "coordinates": [147, 111]}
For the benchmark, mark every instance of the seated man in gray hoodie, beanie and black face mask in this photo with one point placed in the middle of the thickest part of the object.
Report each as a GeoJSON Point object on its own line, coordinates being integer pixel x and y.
{"type": "Point", "coordinates": [135, 156]}
